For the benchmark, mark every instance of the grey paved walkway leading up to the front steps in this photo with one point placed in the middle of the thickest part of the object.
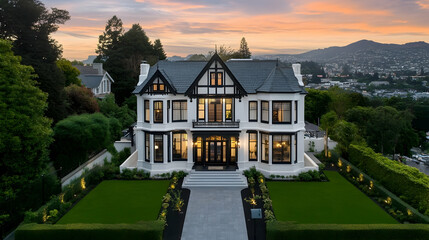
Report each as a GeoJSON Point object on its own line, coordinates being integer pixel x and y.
{"type": "Point", "coordinates": [215, 213]}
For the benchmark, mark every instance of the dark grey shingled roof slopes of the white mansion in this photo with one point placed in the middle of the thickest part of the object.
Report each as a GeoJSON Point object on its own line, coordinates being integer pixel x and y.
{"type": "Point", "coordinates": [254, 75]}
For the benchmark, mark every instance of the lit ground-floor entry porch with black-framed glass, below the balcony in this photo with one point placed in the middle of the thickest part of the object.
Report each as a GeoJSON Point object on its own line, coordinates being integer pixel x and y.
{"type": "Point", "coordinates": [215, 149]}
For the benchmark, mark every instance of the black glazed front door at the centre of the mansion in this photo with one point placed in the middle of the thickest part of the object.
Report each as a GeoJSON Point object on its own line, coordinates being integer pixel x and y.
{"type": "Point", "coordinates": [216, 151]}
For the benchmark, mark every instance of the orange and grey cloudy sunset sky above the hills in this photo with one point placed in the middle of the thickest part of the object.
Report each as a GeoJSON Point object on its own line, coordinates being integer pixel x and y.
{"type": "Point", "coordinates": [269, 26]}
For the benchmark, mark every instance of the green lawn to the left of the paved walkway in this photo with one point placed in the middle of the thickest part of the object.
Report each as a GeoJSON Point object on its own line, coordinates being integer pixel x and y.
{"type": "Point", "coordinates": [119, 202]}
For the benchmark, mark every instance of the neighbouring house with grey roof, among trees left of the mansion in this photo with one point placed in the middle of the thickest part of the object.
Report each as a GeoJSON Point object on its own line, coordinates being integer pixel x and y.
{"type": "Point", "coordinates": [96, 79]}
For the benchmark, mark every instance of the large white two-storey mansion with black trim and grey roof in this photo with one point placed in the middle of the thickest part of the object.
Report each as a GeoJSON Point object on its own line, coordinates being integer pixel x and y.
{"type": "Point", "coordinates": [234, 114]}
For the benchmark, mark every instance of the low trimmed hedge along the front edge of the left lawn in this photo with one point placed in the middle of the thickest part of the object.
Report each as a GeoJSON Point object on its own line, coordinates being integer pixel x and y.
{"type": "Point", "coordinates": [143, 230]}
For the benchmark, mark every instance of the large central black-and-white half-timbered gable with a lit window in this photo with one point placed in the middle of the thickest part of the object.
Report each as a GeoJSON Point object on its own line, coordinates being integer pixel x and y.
{"type": "Point", "coordinates": [216, 81]}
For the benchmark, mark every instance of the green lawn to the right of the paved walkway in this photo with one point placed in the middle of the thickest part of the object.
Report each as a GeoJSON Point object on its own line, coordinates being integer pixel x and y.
{"type": "Point", "coordinates": [336, 201]}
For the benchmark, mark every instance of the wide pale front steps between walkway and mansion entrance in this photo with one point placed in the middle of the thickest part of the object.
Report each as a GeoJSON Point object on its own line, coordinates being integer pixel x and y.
{"type": "Point", "coordinates": [215, 179]}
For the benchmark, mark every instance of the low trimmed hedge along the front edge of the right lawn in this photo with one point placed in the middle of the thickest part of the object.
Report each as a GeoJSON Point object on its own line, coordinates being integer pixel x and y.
{"type": "Point", "coordinates": [285, 230]}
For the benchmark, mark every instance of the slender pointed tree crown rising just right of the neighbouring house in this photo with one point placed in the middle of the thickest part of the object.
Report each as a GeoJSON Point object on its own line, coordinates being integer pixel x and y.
{"type": "Point", "coordinates": [110, 38]}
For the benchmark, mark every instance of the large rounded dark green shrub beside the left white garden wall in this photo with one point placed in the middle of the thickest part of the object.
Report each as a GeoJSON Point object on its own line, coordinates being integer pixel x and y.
{"type": "Point", "coordinates": [77, 137]}
